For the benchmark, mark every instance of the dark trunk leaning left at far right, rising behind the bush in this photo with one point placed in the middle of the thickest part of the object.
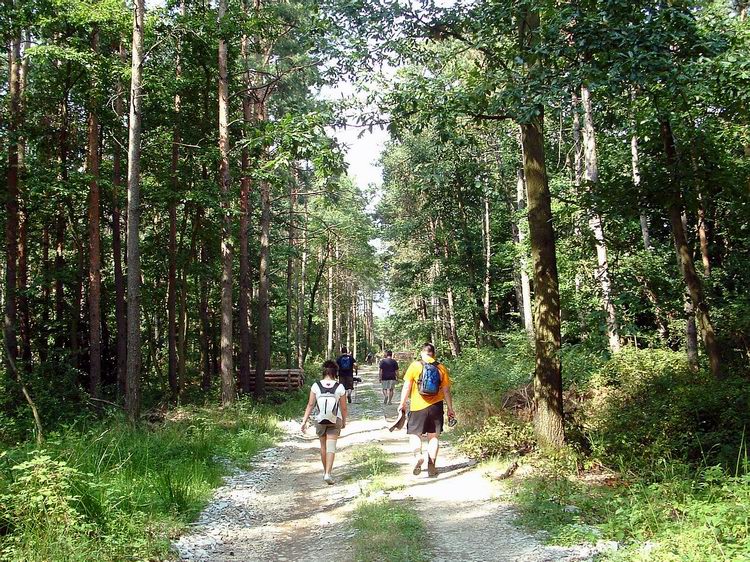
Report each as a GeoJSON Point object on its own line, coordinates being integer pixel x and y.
{"type": "Point", "coordinates": [685, 257]}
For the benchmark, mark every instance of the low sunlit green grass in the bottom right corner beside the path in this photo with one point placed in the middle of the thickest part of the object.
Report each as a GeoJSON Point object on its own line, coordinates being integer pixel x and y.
{"type": "Point", "coordinates": [682, 516]}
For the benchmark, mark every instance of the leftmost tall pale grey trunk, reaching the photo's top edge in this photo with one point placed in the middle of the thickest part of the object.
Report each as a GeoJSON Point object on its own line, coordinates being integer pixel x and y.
{"type": "Point", "coordinates": [133, 371]}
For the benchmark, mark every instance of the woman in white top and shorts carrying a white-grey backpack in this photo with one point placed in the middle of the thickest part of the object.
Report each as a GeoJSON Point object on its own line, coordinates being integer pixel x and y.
{"type": "Point", "coordinates": [328, 395]}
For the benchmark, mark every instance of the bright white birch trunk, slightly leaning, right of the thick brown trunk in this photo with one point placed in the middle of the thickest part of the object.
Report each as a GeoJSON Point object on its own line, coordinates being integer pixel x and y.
{"type": "Point", "coordinates": [595, 222]}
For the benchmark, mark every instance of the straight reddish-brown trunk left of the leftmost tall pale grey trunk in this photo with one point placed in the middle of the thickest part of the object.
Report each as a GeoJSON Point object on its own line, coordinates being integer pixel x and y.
{"type": "Point", "coordinates": [95, 276]}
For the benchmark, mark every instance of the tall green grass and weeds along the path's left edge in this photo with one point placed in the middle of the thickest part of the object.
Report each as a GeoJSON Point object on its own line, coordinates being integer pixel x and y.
{"type": "Point", "coordinates": [108, 491]}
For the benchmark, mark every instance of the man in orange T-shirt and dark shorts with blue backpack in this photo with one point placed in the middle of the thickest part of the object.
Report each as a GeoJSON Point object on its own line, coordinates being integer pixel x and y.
{"type": "Point", "coordinates": [426, 386]}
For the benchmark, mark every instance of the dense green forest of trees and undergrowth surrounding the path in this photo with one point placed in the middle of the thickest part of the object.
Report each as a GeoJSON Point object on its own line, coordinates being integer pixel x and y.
{"type": "Point", "coordinates": [564, 212]}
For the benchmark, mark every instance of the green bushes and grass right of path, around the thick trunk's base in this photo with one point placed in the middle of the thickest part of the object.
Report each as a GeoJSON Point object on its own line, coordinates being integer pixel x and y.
{"type": "Point", "coordinates": [656, 457]}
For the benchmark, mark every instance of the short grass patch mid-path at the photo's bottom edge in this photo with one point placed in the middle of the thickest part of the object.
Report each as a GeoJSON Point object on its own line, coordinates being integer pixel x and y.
{"type": "Point", "coordinates": [388, 531]}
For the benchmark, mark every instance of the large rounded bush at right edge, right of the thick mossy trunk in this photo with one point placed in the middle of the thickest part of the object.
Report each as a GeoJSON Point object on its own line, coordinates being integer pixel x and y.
{"type": "Point", "coordinates": [648, 408]}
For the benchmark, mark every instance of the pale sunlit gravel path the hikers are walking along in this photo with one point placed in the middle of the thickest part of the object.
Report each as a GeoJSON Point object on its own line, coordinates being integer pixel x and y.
{"type": "Point", "coordinates": [281, 510]}
